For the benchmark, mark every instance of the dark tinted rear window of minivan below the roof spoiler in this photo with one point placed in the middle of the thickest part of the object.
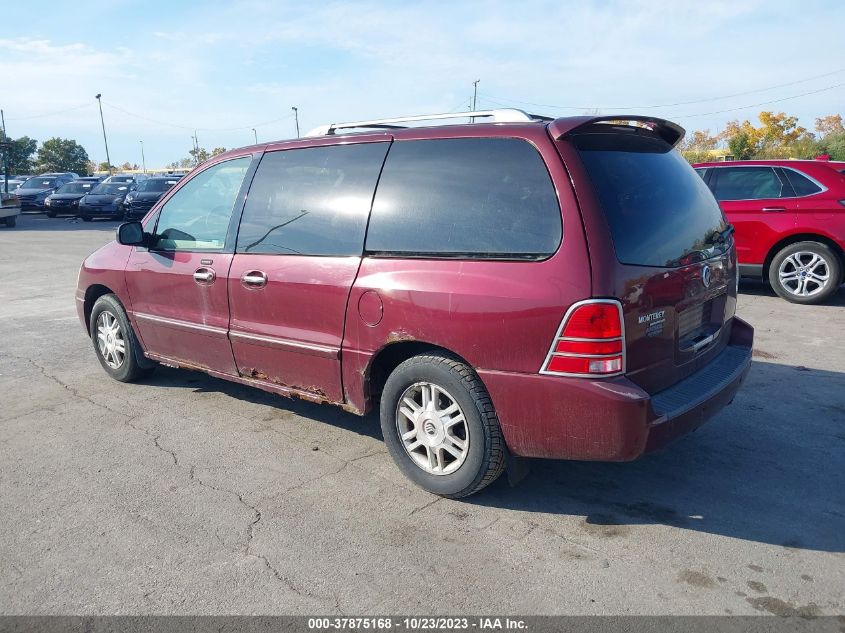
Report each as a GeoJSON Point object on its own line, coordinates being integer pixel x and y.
{"type": "Point", "coordinates": [660, 212]}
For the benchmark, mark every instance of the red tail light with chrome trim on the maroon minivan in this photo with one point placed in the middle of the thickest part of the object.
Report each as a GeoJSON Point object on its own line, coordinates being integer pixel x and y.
{"type": "Point", "coordinates": [589, 342]}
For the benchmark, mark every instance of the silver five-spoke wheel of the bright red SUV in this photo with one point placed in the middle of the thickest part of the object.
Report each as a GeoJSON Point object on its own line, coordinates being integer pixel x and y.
{"type": "Point", "coordinates": [805, 272]}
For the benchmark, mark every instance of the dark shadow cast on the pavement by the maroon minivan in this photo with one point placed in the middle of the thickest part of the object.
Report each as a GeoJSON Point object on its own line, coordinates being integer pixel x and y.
{"type": "Point", "coordinates": [769, 468]}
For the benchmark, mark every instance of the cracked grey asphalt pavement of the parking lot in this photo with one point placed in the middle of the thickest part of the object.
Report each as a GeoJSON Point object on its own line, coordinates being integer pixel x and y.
{"type": "Point", "coordinates": [184, 494]}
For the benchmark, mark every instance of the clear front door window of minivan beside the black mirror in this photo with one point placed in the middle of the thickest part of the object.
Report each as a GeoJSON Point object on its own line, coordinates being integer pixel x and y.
{"type": "Point", "coordinates": [197, 216]}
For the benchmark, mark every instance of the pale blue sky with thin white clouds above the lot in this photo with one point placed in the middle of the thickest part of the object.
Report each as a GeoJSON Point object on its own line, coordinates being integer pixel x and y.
{"type": "Point", "coordinates": [167, 68]}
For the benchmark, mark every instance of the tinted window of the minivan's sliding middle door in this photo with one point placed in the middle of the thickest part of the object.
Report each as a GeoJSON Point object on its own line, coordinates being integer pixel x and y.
{"type": "Point", "coordinates": [312, 201]}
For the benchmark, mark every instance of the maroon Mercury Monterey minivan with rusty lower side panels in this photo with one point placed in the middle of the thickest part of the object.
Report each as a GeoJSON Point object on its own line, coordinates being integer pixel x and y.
{"type": "Point", "coordinates": [521, 287]}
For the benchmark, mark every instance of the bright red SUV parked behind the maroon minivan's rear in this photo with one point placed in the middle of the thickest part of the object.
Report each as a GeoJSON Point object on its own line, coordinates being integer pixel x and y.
{"type": "Point", "coordinates": [790, 222]}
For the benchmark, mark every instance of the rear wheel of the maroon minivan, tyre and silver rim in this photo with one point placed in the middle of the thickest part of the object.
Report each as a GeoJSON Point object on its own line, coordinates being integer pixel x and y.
{"type": "Point", "coordinates": [440, 427]}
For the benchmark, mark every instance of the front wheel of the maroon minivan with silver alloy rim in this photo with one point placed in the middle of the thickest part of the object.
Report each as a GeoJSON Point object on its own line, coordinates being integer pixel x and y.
{"type": "Point", "coordinates": [115, 343]}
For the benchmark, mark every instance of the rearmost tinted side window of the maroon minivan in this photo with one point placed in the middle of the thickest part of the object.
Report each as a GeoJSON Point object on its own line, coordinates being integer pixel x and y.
{"type": "Point", "coordinates": [475, 197]}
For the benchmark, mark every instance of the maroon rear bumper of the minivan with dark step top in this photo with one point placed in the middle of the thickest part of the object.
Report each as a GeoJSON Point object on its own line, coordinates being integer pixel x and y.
{"type": "Point", "coordinates": [614, 419]}
